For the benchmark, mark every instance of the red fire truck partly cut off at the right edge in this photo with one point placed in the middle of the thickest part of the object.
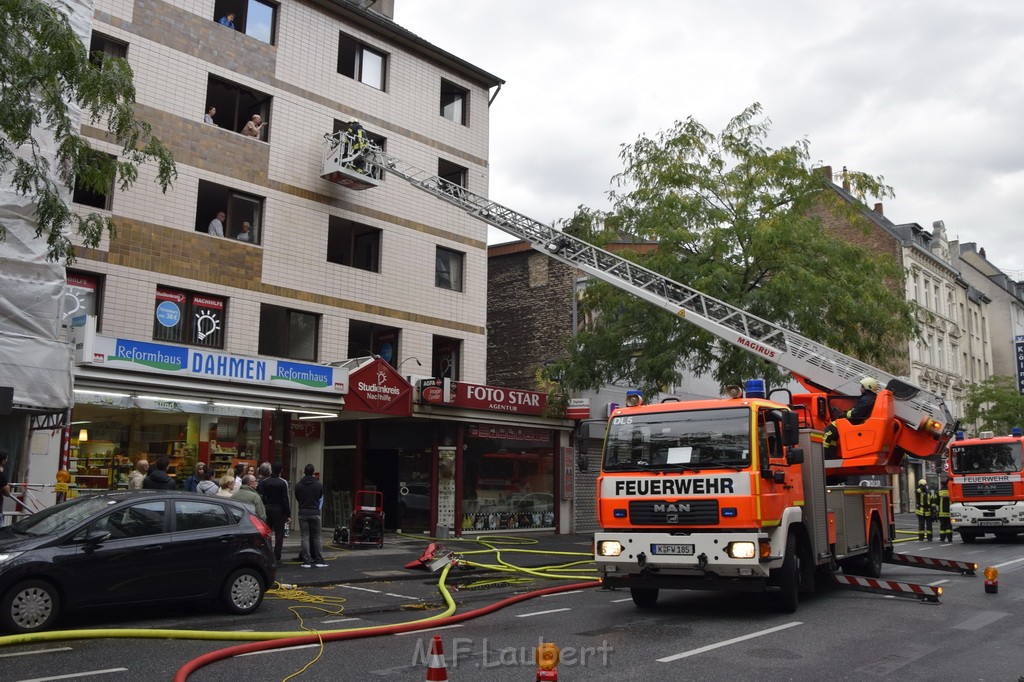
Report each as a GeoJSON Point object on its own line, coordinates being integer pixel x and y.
{"type": "Point", "coordinates": [987, 490]}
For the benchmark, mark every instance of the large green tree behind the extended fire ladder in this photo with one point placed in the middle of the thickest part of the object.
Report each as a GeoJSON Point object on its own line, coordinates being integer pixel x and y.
{"type": "Point", "coordinates": [742, 223]}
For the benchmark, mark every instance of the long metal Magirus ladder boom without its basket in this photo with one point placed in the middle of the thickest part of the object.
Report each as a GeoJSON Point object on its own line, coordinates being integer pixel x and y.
{"type": "Point", "coordinates": [810, 362]}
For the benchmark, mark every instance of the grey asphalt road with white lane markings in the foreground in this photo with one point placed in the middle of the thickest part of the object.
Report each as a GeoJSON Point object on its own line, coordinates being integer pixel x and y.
{"type": "Point", "coordinates": [835, 635]}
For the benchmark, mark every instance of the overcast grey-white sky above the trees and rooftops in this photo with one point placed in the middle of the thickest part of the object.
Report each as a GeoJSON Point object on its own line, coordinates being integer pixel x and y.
{"type": "Point", "coordinates": [928, 95]}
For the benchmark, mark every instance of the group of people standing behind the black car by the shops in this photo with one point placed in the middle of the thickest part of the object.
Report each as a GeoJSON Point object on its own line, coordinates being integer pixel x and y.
{"type": "Point", "coordinates": [264, 490]}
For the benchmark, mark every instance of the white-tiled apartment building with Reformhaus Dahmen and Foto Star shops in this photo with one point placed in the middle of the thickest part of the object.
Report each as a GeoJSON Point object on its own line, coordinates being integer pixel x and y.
{"type": "Point", "coordinates": [260, 312]}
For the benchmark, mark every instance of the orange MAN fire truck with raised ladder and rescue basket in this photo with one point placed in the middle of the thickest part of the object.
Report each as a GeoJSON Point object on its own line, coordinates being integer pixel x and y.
{"type": "Point", "coordinates": [734, 494]}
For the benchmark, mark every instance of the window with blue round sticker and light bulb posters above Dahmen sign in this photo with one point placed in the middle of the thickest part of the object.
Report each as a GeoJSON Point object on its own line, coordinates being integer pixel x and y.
{"type": "Point", "coordinates": [191, 318]}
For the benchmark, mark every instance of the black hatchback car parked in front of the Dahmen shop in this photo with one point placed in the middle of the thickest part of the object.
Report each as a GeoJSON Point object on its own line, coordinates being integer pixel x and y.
{"type": "Point", "coordinates": [130, 548]}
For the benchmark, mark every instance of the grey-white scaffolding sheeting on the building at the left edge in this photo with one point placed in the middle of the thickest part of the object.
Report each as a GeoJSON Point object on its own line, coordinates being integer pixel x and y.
{"type": "Point", "coordinates": [35, 357]}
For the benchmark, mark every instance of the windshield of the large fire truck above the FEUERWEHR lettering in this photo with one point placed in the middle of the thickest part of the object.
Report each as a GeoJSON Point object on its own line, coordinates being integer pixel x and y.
{"type": "Point", "coordinates": [686, 441]}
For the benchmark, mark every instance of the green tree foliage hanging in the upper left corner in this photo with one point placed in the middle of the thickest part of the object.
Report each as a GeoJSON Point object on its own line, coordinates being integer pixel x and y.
{"type": "Point", "coordinates": [45, 66]}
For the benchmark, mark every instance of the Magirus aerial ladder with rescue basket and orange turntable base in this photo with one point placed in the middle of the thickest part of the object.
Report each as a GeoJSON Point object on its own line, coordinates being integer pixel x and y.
{"type": "Point", "coordinates": [923, 425]}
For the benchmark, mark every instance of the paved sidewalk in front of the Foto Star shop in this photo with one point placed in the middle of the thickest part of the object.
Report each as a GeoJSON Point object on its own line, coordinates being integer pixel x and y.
{"type": "Point", "coordinates": [369, 564]}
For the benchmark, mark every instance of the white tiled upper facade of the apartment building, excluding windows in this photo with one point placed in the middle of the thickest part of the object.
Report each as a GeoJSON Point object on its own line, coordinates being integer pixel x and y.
{"type": "Point", "coordinates": [309, 95]}
